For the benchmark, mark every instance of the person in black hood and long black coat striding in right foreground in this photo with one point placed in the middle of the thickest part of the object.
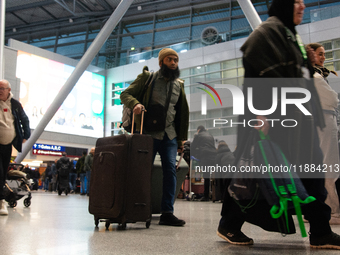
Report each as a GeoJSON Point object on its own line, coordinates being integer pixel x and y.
{"type": "Point", "coordinates": [273, 51]}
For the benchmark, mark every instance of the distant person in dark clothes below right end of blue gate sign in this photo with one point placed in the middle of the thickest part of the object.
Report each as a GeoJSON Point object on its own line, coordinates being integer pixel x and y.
{"type": "Point", "coordinates": [64, 166]}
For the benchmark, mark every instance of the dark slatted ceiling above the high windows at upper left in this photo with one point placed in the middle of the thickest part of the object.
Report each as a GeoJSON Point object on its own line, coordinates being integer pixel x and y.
{"type": "Point", "coordinates": [43, 16]}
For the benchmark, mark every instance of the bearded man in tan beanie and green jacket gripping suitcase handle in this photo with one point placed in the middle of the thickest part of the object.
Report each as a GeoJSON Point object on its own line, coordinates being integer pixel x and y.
{"type": "Point", "coordinates": [175, 131]}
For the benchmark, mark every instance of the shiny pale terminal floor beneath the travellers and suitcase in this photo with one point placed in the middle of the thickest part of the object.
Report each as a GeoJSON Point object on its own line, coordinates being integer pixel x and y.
{"type": "Point", "coordinates": [62, 225]}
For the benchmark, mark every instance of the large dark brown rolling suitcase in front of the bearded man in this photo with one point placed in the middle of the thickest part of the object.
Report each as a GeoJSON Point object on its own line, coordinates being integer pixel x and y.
{"type": "Point", "coordinates": [120, 187]}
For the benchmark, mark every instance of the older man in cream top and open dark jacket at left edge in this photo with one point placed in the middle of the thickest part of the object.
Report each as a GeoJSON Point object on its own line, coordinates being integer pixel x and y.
{"type": "Point", "coordinates": [14, 130]}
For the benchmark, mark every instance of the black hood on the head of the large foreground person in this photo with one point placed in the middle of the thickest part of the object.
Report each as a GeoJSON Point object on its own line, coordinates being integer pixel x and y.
{"type": "Point", "coordinates": [284, 10]}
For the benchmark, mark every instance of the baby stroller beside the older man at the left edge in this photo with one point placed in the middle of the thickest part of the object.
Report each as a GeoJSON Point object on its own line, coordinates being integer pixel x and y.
{"type": "Point", "coordinates": [17, 186]}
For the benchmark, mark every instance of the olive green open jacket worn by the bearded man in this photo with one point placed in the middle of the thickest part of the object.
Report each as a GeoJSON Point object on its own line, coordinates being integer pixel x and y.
{"type": "Point", "coordinates": [129, 97]}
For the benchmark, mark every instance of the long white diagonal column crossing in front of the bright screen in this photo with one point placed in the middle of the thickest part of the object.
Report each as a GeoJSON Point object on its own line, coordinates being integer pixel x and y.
{"type": "Point", "coordinates": [84, 62]}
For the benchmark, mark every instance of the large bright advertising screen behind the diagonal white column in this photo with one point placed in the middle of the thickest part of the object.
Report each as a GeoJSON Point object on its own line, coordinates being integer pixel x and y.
{"type": "Point", "coordinates": [82, 112]}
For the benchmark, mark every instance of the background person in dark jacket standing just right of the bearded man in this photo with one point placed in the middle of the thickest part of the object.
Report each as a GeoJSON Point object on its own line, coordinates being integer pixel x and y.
{"type": "Point", "coordinates": [203, 148]}
